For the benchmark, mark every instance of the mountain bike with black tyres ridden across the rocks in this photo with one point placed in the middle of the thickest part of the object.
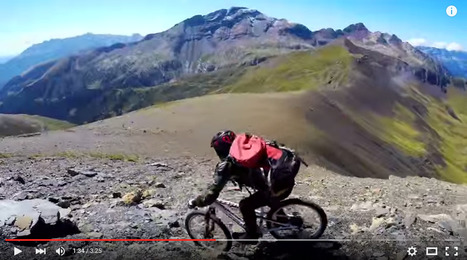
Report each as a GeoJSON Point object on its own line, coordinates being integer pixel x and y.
{"type": "Point", "coordinates": [284, 222]}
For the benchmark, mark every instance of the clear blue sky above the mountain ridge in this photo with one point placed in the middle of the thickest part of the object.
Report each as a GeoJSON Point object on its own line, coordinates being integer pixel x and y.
{"type": "Point", "coordinates": [25, 22]}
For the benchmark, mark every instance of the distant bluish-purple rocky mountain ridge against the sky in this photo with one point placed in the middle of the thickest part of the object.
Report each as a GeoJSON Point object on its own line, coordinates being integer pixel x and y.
{"type": "Point", "coordinates": [225, 39]}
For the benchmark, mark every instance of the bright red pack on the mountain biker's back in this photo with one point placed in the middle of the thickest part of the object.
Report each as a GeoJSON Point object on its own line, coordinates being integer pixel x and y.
{"type": "Point", "coordinates": [253, 151]}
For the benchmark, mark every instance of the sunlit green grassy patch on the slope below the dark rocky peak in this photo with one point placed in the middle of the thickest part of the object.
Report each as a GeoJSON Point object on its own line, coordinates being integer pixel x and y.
{"type": "Point", "coordinates": [297, 71]}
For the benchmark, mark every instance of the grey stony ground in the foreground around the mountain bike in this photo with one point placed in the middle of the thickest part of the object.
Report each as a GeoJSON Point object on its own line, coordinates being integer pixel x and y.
{"type": "Point", "coordinates": [101, 198]}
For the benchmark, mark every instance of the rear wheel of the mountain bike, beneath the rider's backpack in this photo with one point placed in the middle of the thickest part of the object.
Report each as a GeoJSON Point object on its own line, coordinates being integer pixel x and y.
{"type": "Point", "coordinates": [296, 219]}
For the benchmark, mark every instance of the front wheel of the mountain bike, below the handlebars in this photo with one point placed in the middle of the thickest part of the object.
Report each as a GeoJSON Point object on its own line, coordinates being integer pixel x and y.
{"type": "Point", "coordinates": [200, 227]}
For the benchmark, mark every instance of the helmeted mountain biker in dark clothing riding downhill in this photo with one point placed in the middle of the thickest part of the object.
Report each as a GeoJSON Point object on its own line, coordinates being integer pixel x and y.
{"type": "Point", "coordinates": [273, 179]}
